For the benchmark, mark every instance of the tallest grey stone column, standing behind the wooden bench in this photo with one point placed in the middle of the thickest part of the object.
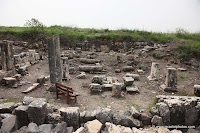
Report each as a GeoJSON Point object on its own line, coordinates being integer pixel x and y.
{"type": "Point", "coordinates": [55, 66]}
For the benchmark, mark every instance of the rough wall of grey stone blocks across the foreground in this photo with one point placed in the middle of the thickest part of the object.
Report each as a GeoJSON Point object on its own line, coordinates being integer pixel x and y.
{"type": "Point", "coordinates": [37, 115]}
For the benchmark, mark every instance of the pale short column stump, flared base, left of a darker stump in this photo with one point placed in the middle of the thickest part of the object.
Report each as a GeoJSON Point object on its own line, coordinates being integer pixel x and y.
{"type": "Point", "coordinates": [154, 71]}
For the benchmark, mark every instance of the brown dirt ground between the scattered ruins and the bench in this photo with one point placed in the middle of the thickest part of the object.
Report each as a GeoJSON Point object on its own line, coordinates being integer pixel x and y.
{"type": "Point", "coordinates": [144, 100]}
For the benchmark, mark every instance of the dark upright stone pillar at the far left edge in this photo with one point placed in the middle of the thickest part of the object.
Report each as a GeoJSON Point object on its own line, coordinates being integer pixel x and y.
{"type": "Point", "coordinates": [7, 59]}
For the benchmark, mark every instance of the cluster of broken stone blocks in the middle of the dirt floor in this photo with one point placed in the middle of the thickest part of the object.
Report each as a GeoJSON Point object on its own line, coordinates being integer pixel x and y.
{"type": "Point", "coordinates": [101, 83]}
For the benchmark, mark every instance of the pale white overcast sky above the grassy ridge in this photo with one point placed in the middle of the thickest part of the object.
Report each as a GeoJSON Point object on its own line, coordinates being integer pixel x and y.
{"type": "Point", "coordinates": [151, 15]}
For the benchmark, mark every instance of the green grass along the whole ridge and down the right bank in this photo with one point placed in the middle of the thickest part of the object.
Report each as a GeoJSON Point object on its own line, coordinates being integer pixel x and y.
{"type": "Point", "coordinates": [190, 41]}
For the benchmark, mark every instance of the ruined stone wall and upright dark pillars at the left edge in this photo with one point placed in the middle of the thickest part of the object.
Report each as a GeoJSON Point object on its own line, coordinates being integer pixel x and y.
{"type": "Point", "coordinates": [15, 66]}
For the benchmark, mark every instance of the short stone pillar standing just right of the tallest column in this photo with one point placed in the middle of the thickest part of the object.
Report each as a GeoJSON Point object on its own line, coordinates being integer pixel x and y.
{"type": "Point", "coordinates": [65, 66]}
